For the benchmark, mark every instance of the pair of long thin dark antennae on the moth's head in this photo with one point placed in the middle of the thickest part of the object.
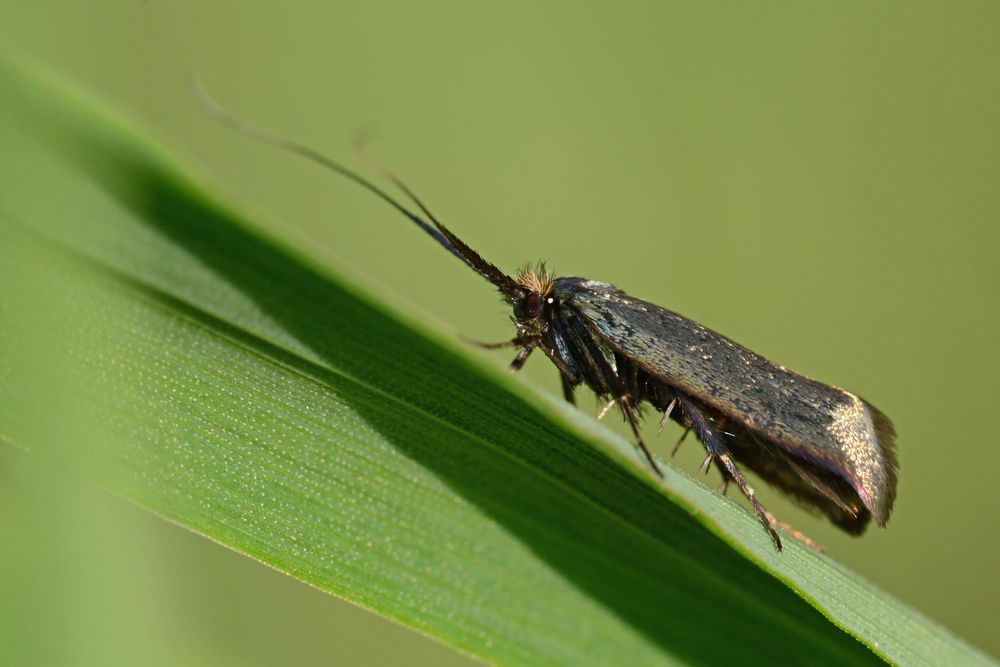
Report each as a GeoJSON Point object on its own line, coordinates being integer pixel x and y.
{"type": "Point", "coordinates": [439, 232]}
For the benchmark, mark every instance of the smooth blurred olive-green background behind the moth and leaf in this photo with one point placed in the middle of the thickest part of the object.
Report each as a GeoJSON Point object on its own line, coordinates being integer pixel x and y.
{"type": "Point", "coordinates": [818, 183]}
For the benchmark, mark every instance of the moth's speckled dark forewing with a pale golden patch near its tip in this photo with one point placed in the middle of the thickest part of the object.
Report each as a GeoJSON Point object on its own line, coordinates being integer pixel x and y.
{"type": "Point", "coordinates": [832, 428]}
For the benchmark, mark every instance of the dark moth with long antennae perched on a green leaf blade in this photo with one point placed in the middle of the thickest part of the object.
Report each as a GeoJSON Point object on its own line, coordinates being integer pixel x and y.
{"type": "Point", "coordinates": [825, 447]}
